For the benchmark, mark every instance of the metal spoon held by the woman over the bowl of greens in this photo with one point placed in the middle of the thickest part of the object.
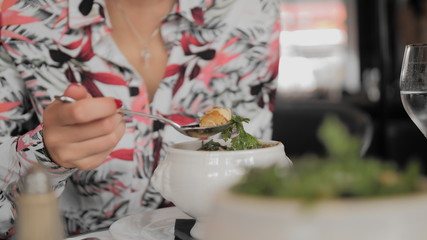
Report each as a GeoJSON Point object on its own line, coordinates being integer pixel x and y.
{"type": "Point", "coordinates": [191, 130]}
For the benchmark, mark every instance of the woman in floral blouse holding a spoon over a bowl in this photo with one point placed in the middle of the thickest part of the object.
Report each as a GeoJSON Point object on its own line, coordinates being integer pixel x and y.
{"type": "Point", "coordinates": [176, 58]}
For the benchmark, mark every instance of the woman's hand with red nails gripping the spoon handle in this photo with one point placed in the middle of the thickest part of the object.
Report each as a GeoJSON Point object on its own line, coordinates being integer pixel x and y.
{"type": "Point", "coordinates": [82, 134]}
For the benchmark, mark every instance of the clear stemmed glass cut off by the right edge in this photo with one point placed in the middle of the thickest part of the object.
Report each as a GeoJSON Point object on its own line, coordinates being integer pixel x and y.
{"type": "Point", "coordinates": [413, 84]}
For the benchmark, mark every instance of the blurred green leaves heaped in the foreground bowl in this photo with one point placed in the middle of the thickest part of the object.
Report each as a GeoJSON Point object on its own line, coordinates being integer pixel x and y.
{"type": "Point", "coordinates": [343, 174]}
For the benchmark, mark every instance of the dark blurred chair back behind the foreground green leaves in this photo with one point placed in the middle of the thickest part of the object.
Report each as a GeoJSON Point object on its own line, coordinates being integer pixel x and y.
{"type": "Point", "coordinates": [295, 124]}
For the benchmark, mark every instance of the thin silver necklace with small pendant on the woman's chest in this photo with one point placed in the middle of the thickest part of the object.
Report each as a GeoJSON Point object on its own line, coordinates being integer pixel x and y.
{"type": "Point", "coordinates": [145, 52]}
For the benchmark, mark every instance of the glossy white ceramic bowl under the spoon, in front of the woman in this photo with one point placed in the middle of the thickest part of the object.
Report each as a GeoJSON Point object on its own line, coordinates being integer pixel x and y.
{"type": "Point", "coordinates": [190, 178]}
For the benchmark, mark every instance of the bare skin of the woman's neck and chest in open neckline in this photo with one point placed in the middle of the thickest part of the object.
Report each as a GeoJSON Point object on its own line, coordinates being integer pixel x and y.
{"type": "Point", "coordinates": [135, 29]}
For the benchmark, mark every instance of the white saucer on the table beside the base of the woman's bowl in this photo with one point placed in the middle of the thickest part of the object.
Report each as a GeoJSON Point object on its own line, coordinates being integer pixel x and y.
{"type": "Point", "coordinates": [151, 225]}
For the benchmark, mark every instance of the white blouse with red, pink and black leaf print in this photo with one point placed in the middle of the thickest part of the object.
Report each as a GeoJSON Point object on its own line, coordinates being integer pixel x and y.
{"type": "Point", "coordinates": [221, 53]}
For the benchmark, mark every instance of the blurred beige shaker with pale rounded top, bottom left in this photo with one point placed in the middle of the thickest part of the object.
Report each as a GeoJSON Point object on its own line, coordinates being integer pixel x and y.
{"type": "Point", "coordinates": [38, 212]}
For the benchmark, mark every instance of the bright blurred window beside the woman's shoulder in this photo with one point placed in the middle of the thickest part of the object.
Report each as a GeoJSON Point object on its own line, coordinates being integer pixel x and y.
{"type": "Point", "coordinates": [319, 49]}
